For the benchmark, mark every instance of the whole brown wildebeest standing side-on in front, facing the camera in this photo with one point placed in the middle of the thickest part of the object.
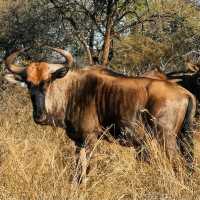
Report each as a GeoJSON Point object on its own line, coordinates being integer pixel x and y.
{"type": "Point", "coordinates": [85, 101]}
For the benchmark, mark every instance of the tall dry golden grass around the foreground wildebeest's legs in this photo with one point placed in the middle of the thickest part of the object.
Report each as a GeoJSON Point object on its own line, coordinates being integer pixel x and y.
{"type": "Point", "coordinates": [37, 163]}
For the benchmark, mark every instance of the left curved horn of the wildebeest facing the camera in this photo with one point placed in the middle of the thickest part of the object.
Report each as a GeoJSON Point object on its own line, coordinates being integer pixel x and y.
{"type": "Point", "coordinates": [10, 60]}
